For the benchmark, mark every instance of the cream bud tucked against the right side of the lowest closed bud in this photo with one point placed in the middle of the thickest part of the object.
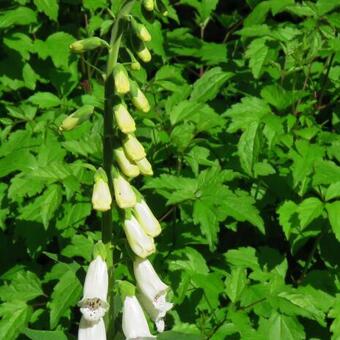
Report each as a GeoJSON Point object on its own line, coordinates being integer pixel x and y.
{"type": "Point", "coordinates": [146, 219]}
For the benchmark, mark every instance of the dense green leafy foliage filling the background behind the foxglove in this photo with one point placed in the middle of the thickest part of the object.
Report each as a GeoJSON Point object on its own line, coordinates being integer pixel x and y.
{"type": "Point", "coordinates": [244, 139]}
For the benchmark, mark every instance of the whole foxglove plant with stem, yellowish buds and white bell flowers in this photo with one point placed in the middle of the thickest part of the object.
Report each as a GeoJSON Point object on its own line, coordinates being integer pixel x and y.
{"type": "Point", "coordinates": [124, 158]}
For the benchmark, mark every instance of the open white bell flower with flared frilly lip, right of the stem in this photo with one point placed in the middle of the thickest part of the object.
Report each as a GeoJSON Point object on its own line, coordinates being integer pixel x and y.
{"type": "Point", "coordinates": [152, 292]}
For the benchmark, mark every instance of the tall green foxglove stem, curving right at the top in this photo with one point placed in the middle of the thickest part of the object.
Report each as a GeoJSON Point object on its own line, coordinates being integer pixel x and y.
{"type": "Point", "coordinates": [108, 142]}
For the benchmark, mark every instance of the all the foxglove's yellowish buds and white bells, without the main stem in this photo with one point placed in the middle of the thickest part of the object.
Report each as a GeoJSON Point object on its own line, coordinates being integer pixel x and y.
{"type": "Point", "coordinates": [140, 225]}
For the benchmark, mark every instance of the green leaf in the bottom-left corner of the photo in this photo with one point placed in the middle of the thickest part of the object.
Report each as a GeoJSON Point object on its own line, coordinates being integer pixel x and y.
{"type": "Point", "coordinates": [14, 318]}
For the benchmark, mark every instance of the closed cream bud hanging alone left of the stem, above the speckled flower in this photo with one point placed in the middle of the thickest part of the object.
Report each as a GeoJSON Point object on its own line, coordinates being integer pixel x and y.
{"type": "Point", "coordinates": [101, 197]}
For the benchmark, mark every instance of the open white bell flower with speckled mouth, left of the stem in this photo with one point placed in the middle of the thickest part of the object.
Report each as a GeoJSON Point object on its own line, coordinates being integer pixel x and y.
{"type": "Point", "coordinates": [94, 304]}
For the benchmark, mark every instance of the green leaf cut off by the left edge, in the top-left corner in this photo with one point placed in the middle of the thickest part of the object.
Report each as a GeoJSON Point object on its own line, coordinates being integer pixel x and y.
{"type": "Point", "coordinates": [19, 16]}
